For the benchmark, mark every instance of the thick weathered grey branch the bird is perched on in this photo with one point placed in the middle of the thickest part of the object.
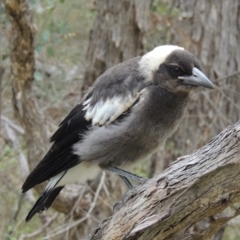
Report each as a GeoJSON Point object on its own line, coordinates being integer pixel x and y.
{"type": "Point", "coordinates": [194, 187]}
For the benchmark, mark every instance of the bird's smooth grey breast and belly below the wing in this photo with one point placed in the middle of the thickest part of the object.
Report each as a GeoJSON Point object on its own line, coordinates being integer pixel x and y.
{"type": "Point", "coordinates": [151, 121]}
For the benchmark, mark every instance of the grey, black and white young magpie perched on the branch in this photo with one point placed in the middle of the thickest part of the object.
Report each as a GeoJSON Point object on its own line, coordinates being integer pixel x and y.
{"type": "Point", "coordinates": [130, 110]}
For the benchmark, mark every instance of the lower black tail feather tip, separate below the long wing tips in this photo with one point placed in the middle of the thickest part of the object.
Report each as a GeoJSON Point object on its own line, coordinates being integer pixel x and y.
{"type": "Point", "coordinates": [44, 202]}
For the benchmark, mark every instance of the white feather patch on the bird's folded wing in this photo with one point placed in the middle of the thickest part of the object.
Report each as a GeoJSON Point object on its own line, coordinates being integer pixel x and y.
{"type": "Point", "coordinates": [105, 112]}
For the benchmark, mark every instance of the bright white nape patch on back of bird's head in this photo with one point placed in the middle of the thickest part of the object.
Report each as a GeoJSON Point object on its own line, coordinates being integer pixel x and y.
{"type": "Point", "coordinates": [152, 60]}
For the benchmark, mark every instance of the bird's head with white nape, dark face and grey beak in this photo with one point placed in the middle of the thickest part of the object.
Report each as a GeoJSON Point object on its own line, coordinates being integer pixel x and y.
{"type": "Point", "coordinates": [173, 68]}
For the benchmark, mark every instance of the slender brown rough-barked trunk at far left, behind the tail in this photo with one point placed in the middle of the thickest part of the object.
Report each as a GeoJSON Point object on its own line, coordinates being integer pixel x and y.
{"type": "Point", "coordinates": [22, 69]}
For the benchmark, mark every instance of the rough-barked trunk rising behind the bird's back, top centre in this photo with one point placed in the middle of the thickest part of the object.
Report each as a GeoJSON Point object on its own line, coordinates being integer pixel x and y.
{"type": "Point", "coordinates": [117, 35]}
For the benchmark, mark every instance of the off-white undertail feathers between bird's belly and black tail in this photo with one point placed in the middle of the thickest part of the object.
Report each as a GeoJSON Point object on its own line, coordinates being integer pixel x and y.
{"type": "Point", "coordinates": [78, 174]}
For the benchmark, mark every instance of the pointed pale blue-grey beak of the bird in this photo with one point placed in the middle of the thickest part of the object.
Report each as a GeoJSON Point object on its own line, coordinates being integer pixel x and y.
{"type": "Point", "coordinates": [197, 79]}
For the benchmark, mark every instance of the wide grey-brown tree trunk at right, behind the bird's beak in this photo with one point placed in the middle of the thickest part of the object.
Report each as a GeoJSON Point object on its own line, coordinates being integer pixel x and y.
{"type": "Point", "coordinates": [206, 29]}
